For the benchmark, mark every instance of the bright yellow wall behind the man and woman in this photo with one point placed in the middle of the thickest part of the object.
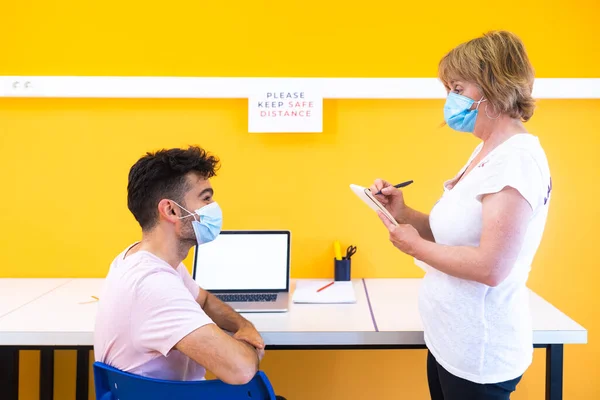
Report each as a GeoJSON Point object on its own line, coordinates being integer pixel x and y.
{"type": "Point", "coordinates": [64, 162]}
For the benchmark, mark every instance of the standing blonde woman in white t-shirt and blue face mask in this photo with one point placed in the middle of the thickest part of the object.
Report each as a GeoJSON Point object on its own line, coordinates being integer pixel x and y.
{"type": "Point", "coordinates": [478, 242]}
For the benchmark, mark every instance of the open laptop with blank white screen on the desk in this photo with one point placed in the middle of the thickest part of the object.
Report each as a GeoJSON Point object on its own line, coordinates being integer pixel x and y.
{"type": "Point", "coordinates": [249, 270]}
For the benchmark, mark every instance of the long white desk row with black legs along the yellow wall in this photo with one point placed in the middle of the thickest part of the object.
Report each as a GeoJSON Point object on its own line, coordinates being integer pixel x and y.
{"type": "Point", "coordinates": [385, 316]}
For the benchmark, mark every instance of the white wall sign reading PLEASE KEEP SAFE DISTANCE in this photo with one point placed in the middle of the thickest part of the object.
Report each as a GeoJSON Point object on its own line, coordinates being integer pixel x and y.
{"type": "Point", "coordinates": [280, 110]}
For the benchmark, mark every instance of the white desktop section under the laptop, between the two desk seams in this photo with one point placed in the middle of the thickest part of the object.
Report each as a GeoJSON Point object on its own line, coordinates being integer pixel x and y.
{"type": "Point", "coordinates": [60, 319]}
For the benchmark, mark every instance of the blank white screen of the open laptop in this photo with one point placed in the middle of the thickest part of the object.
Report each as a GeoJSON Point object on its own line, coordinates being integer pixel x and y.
{"type": "Point", "coordinates": [244, 261]}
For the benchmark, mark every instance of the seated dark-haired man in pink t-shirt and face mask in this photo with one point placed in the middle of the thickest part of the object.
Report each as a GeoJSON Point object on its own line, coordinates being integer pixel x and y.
{"type": "Point", "coordinates": [153, 319]}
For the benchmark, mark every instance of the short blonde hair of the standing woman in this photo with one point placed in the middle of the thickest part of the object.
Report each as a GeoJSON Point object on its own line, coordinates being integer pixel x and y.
{"type": "Point", "coordinates": [498, 63]}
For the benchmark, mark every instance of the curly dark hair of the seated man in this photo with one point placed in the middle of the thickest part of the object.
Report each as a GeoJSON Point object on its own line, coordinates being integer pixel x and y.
{"type": "Point", "coordinates": [162, 174]}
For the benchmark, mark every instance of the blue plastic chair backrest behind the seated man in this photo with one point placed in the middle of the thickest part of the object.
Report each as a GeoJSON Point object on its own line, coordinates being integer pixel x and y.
{"type": "Point", "coordinates": [112, 384]}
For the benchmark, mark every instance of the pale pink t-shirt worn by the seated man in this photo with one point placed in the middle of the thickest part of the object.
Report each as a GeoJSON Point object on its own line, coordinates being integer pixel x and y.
{"type": "Point", "coordinates": [145, 308]}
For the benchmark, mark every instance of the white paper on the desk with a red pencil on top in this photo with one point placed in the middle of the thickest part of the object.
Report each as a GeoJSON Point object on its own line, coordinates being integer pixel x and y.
{"type": "Point", "coordinates": [339, 292]}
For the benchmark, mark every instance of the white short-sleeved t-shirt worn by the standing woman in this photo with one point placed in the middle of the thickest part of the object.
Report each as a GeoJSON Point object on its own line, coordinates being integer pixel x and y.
{"type": "Point", "coordinates": [479, 333]}
